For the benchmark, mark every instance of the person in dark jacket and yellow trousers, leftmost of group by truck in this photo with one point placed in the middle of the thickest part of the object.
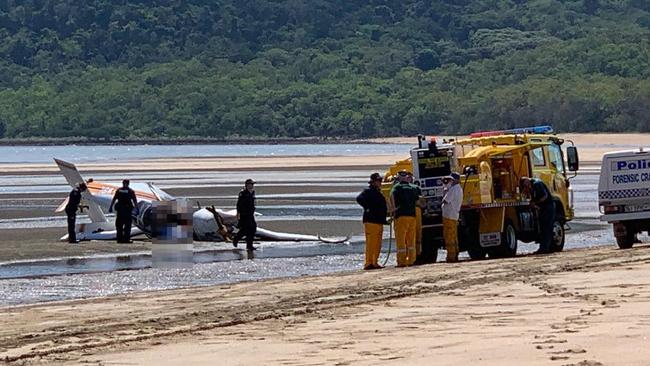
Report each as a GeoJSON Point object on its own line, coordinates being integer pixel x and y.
{"type": "Point", "coordinates": [374, 219]}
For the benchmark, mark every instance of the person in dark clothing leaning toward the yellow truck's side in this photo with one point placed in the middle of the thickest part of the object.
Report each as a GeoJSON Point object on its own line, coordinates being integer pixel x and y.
{"type": "Point", "coordinates": [541, 198]}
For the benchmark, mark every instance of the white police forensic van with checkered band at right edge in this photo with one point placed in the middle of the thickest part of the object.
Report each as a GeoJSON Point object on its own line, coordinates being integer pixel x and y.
{"type": "Point", "coordinates": [624, 194]}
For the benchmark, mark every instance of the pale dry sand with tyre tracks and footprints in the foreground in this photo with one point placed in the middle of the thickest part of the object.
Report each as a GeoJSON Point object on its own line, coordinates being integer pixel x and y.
{"type": "Point", "coordinates": [582, 307]}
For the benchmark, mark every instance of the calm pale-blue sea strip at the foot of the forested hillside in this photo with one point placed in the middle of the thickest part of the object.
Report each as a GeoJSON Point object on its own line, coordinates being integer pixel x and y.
{"type": "Point", "coordinates": [85, 153]}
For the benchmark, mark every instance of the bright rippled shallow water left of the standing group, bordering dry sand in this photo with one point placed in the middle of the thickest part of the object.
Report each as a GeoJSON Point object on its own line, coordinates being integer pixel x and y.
{"type": "Point", "coordinates": [22, 291]}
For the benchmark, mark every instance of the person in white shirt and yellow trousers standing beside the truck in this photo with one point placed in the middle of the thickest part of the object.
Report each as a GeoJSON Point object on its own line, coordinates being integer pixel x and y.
{"type": "Point", "coordinates": [451, 202]}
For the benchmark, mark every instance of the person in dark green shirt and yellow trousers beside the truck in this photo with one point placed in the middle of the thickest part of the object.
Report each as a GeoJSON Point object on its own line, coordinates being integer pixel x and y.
{"type": "Point", "coordinates": [404, 198]}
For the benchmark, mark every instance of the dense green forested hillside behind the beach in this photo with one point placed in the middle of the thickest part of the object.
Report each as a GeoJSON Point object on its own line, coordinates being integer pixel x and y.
{"type": "Point", "coordinates": [223, 68]}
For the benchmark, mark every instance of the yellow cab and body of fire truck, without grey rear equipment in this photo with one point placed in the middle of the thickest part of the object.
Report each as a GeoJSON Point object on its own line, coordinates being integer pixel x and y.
{"type": "Point", "coordinates": [494, 213]}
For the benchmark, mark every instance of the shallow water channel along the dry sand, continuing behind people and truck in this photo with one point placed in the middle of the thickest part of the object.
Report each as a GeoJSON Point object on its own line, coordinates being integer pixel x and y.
{"type": "Point", "coordinates": [32, 282]}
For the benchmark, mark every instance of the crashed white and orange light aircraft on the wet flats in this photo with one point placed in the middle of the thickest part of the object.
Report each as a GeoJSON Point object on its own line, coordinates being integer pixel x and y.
{"type": "Point", "coordinates": [209, 223]}
